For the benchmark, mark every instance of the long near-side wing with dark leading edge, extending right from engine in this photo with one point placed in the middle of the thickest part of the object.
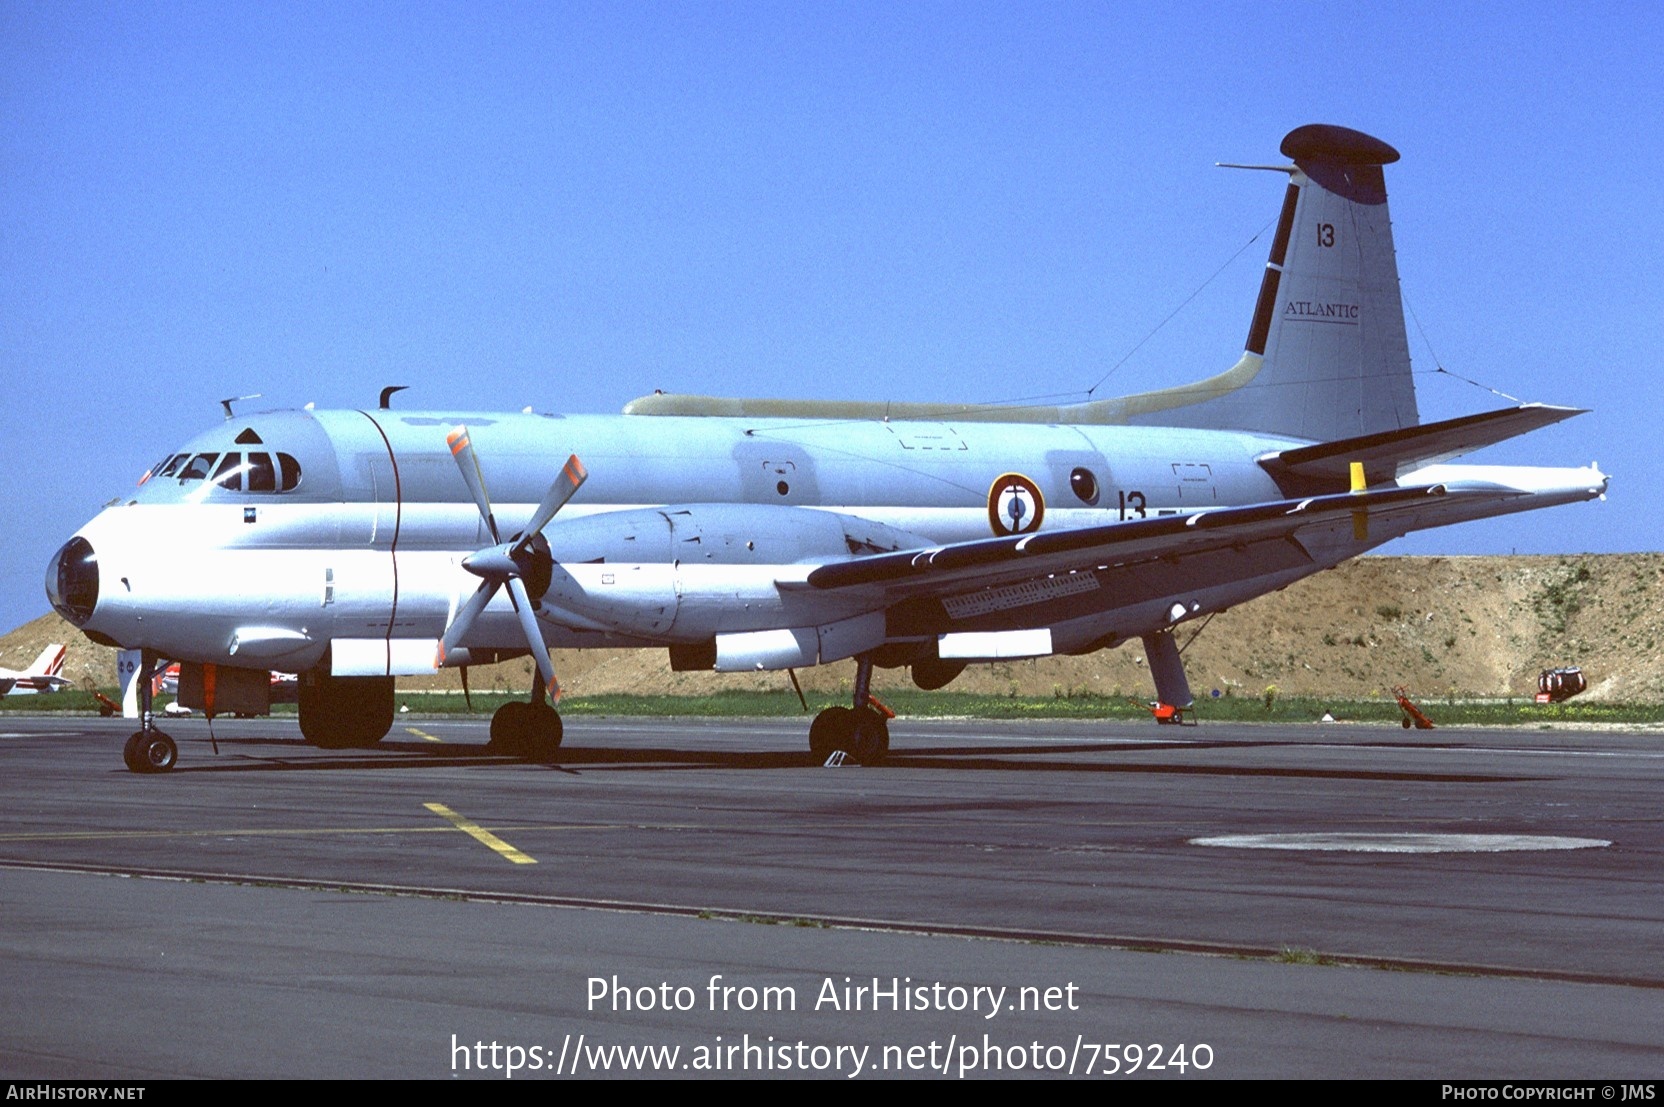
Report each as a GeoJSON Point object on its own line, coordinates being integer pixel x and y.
{"type": "Point", "coordinates": [1172, 539]}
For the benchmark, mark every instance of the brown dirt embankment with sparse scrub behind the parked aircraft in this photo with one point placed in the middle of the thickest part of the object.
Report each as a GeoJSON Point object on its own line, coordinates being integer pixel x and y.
{"type": "Point", "coordinates": [1482, 627]}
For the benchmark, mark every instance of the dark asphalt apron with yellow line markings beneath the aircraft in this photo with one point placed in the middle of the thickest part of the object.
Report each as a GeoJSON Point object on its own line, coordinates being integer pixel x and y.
{"type": "Point", "coordinates": [404, 911]}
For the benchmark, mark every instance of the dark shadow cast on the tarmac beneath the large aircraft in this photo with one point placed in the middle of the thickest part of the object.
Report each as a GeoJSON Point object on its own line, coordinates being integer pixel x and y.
{"type": "Point", "coordinates": [285, 755]}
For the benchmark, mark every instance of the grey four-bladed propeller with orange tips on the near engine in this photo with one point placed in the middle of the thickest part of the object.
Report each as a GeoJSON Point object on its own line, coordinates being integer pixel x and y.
{"type": "Point", "coordinates": [510, 563]}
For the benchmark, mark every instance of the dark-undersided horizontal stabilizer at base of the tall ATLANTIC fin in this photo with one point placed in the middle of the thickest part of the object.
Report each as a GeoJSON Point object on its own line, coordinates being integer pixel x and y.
{"type": "Point", "coordinates": [1390, 454]}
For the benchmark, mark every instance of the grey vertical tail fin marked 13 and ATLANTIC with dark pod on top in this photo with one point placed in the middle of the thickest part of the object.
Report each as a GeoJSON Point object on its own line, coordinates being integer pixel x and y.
{"type": "Point", "coordinates": [1327, 354]}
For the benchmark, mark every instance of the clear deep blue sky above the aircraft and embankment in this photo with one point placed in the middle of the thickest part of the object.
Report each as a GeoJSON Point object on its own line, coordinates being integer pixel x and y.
{"type": "Point", "coordinates": [568, 206]}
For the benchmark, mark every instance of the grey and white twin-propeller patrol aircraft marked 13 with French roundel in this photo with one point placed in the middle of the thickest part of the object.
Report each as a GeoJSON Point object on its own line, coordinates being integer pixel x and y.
{"type": "Point", "coordinates": [743, 535]}
